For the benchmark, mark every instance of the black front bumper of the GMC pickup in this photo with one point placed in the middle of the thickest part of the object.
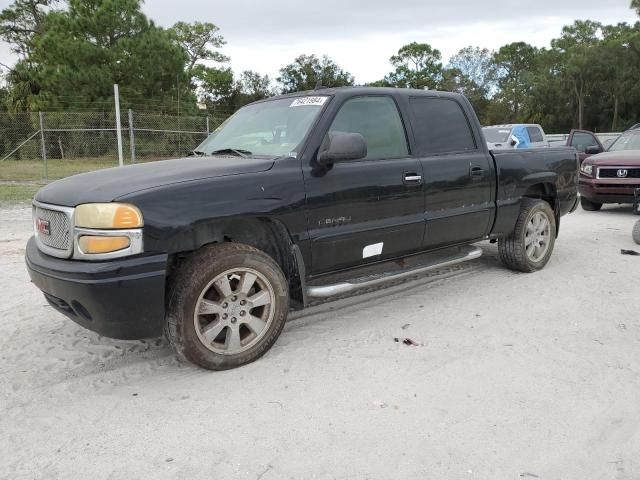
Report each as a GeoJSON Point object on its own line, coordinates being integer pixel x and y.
{"type": "Point", "coordinates": [121, 299]}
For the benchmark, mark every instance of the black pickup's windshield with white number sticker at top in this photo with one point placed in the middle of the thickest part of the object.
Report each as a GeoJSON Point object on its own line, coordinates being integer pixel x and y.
{"type": "Point", "coordinates": [273, 128]}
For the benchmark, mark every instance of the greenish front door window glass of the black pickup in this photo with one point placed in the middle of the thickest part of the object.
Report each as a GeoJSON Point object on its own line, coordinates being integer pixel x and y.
{"type": "Point", "coordinates": [378, 121]}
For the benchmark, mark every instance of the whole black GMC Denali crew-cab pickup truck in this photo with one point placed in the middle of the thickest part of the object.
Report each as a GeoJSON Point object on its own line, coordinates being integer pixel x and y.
{"type": "Point", "coordinates": [292, 198]}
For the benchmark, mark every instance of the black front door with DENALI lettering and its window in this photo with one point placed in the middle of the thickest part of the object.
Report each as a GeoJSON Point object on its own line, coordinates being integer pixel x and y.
{"type": "Point", "coordinates": [362, 211]}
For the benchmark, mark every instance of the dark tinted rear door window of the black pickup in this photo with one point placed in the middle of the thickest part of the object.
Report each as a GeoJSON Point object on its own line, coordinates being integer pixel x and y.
{"type": "Point", "coordinates": [440, 126]}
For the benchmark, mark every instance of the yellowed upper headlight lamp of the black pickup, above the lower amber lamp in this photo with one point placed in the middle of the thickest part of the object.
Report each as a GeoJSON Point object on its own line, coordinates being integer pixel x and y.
{"type": "Point", "coordinates": [108, 215]}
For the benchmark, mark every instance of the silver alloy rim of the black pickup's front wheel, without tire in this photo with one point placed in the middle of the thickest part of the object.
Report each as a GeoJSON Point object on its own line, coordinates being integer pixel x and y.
{"type": "Point", "coordinates": [234, 311]}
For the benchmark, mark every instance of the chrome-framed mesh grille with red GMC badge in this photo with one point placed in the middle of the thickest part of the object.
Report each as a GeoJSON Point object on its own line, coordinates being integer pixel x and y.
{"type": "Point", "coordinates": [53, 230]}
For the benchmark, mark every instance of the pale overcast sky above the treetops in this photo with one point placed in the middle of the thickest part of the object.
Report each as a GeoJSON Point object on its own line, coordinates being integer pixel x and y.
{"type": "Point", "coordinates": [361, 35]}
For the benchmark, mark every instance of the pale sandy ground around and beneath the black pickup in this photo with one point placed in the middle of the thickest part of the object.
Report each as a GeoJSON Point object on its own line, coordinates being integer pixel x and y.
{"type": "Point", "coordinates": [518, 376]}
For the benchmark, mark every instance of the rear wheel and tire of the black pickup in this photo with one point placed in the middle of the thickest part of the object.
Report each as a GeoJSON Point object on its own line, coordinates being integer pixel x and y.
{"type": "Point", "coordinates": [513, 249]}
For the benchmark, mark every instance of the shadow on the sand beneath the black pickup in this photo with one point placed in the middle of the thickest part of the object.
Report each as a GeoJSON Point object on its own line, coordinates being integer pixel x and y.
{"type": "Point", "coordinates": [74, 359]}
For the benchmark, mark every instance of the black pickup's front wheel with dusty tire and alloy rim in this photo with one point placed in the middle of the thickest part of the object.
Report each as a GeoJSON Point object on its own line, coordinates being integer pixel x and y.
{"type": "Point", "coordinates": [240, 316]}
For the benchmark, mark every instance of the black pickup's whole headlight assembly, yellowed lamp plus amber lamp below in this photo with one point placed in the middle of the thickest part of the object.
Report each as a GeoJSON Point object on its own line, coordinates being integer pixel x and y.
{"type": "Point", "coordinates": [105, 231]}
